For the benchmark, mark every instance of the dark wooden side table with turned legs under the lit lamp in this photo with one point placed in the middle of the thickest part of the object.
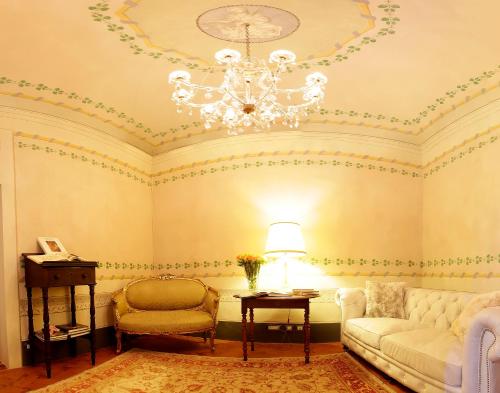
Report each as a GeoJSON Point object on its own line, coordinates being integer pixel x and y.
{"type": "Point", "coordinates": [274, 302]}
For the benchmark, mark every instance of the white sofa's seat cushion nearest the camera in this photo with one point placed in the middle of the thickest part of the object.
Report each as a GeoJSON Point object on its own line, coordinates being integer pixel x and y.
{"type": "Point", "coordinates": [432, 352]}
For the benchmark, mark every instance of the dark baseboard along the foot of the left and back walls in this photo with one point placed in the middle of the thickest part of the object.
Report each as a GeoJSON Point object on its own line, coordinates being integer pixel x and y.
{"type": "Point", "coordinates": [226, 330]}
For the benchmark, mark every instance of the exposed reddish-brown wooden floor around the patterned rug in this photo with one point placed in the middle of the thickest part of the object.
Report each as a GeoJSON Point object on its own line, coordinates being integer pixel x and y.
{"type": "Point", "coordinates": [28, 378]}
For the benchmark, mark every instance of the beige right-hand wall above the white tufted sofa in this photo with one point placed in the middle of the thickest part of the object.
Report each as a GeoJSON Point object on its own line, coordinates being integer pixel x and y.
{"type": "Point", "coordinates": [461, 209]}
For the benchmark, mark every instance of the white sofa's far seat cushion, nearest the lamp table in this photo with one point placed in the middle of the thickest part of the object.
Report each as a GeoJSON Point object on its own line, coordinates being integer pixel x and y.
{"type": "Point", "coordinates": [371, 330]}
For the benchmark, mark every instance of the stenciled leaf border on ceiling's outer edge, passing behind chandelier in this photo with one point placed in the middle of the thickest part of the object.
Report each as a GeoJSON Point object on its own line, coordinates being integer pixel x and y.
{"type": "Point", "coordinates": [195, 128]}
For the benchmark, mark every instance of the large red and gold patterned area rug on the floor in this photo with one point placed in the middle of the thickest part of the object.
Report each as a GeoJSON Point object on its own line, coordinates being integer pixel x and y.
{"type": "Point", "coordinates": [140, 371]}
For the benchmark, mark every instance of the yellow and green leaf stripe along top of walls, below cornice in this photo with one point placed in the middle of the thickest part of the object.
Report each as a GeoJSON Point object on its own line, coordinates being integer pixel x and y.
{"type": "Point", "coordinates": [259, 160]}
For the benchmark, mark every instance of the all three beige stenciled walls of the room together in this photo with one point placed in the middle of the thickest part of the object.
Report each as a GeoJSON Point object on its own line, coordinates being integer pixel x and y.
{"type": "Point", "coordinates": [367, 206]}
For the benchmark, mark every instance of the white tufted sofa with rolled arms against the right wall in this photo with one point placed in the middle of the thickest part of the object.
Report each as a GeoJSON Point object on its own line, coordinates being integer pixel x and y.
{"type": "Point", "coordinates": [420, 351]}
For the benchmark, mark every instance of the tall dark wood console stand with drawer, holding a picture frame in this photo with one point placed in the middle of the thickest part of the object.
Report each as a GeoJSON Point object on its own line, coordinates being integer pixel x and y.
{"type": "Point", "coordinates": [58, 274]}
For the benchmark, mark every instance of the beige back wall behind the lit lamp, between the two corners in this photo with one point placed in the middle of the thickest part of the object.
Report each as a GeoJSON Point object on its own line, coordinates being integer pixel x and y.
{"type": "Point", "coordinates": [358, 204]}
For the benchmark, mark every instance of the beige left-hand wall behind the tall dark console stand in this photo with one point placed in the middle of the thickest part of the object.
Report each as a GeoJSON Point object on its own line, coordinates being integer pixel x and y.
{"type": "Point", "coordinates": [93, 193]}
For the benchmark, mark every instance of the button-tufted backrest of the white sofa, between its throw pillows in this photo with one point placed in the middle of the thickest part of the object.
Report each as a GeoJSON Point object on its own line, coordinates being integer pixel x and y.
{"type": "Point", "coordinates": [433, 307]}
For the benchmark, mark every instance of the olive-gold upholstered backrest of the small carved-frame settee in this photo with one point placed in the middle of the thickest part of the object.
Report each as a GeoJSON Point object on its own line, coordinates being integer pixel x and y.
{"type": "Point", "coordinates": [165, 294]}
